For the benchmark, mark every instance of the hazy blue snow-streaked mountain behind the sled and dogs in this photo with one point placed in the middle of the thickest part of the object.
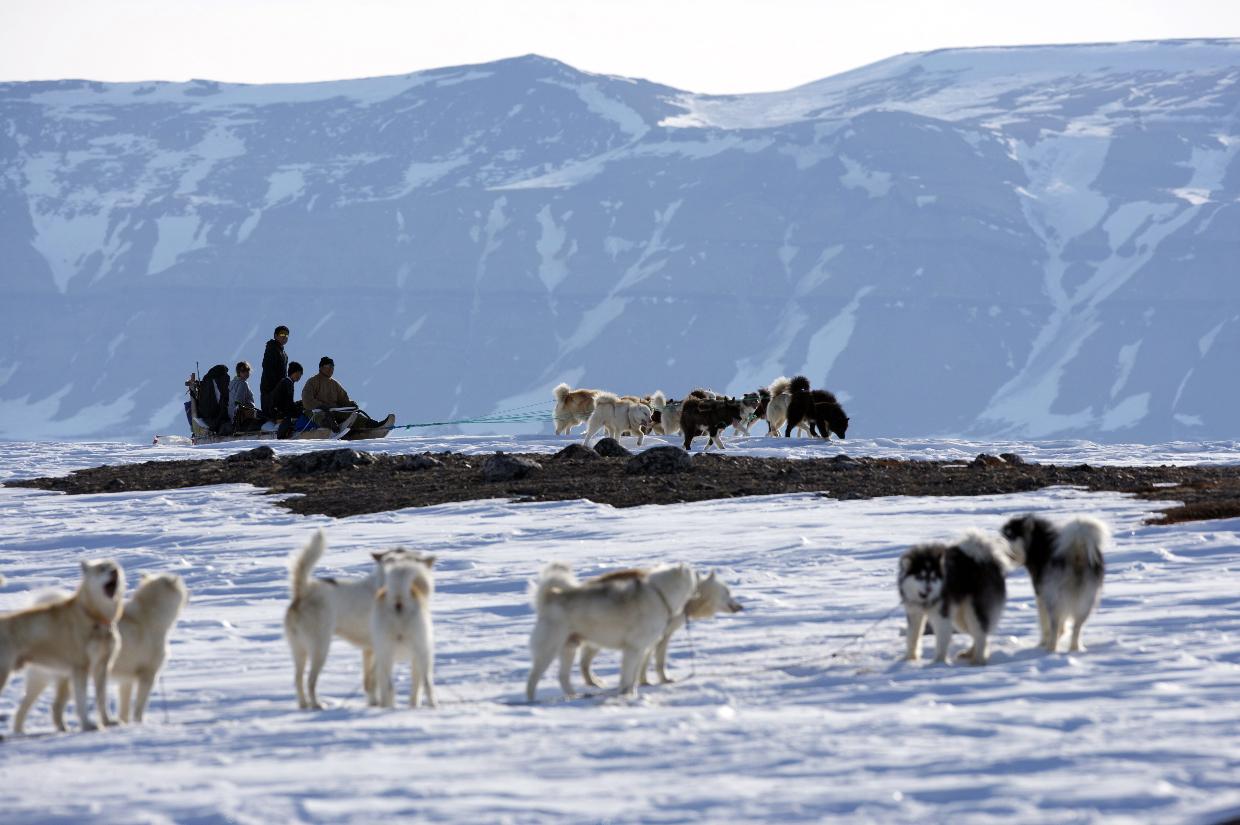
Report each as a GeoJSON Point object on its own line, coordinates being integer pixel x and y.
{"type": "Point", "coordinates": [1000, 243]}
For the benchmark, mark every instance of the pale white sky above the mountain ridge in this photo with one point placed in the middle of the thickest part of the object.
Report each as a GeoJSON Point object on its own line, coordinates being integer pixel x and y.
{"type": "Point", "coordinates": [719, 47]}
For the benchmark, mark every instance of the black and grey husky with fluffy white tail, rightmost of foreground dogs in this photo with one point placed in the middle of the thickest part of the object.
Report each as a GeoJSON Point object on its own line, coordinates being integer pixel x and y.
{"type": "Point", "coordinates": [1067, 568]}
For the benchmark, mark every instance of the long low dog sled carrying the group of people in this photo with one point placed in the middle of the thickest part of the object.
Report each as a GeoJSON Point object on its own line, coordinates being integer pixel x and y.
{"type": "Point", "coordinates": [306, 429]}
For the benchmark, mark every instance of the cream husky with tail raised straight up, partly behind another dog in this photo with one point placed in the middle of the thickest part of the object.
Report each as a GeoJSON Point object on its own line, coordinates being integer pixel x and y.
{"type": "Point", "coordinates": [323, 609]}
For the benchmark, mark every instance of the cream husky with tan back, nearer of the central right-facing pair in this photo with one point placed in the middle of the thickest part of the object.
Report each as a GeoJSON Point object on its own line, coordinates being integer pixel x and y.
{"type": "Point", "coordinates": [629, 611]}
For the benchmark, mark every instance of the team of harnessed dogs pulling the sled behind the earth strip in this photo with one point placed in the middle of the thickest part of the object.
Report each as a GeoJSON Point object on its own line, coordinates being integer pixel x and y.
{"type": "Point", "coordinates": [788, 404]}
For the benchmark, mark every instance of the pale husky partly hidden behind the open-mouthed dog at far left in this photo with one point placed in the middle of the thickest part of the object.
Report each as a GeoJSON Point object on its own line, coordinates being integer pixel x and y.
{"type": "Point", "coordinates": [144, 626]}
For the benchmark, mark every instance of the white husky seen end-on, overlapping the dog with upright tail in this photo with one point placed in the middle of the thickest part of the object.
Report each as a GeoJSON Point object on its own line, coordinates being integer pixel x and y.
{"type": "Point", "coordinates": [401, 628]}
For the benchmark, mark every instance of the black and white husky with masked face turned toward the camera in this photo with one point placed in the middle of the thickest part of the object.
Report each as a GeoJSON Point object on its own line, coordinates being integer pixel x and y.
{"type": "Point", "coordinates": [958, 587]}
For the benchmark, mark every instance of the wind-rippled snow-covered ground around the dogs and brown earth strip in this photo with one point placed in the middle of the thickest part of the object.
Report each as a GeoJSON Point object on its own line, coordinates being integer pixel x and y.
{"type": "Point", "coordinates": [783, 714]}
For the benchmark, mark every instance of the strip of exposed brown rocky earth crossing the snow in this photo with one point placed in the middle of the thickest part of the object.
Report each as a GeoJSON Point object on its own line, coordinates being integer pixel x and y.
{"type": "Point", "coordinates": [356, 483]}
